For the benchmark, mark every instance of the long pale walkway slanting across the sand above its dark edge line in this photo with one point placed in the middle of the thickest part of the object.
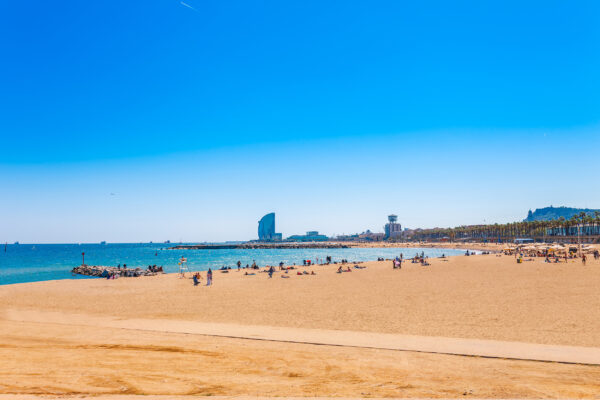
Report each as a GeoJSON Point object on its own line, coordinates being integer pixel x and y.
{"type": "Point", "coordinates": [368, 340]}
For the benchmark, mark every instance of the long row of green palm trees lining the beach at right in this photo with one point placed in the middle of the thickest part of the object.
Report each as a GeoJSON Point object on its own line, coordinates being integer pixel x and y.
{"type": "Point", "coordinates": [581, 224]}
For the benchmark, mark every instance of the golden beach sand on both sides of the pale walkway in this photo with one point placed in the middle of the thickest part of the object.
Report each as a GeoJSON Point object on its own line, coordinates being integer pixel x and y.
{"type": "Point", "coordinates": [478, 297]}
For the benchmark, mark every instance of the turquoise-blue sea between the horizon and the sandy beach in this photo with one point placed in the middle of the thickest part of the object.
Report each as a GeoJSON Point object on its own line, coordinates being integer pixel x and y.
{"type": "Point", "coordinates": [20, 263]}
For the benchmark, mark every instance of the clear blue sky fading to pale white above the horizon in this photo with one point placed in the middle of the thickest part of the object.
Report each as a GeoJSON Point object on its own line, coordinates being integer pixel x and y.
{"type": "Point", "coordinates": [132, 121]}
